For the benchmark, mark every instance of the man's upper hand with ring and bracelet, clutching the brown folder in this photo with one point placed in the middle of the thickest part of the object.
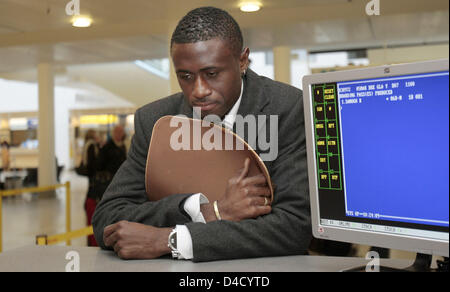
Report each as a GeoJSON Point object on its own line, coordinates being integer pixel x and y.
{"type": "Point", "coordinates": [244, 198]}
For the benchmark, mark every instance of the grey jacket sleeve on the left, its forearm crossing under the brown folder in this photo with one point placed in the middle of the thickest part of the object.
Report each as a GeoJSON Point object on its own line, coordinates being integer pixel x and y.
{"type": "Point", "coordinates": [126, 198]}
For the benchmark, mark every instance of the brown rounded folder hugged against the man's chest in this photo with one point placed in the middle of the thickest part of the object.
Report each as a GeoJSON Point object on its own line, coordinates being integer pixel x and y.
{"type": "Point", "coordinates": [196, 168]}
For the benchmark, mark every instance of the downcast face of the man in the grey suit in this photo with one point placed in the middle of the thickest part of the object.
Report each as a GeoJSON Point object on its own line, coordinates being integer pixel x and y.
{"type": "Point", "coordinates": [209, 73]}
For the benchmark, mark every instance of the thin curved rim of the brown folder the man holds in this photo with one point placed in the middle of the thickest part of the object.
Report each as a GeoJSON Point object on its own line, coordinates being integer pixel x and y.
{"type": "Point", "coordinates": [261, 165]}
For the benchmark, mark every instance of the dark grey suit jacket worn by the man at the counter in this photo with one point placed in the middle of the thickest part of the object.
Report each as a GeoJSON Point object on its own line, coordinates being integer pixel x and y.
{"type": "Point", "coordinates": [285, 231]}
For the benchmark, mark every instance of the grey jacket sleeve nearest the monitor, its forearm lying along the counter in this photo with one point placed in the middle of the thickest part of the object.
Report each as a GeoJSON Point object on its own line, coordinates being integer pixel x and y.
{"type": "Point", "coordinates": [287, 229]}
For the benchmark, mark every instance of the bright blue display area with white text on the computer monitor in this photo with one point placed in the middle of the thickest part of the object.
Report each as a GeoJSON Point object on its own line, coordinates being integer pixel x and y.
{"type": "Point", "coordinates": [395, 148]}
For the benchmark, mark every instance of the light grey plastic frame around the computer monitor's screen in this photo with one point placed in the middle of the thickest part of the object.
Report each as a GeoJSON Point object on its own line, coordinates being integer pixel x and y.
{"type": "Point", "coordinates": [394, 241]}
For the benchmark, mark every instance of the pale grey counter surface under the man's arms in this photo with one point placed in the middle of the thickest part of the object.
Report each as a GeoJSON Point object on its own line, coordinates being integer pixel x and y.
{"type": "Point", "coordinates": [53, 259]}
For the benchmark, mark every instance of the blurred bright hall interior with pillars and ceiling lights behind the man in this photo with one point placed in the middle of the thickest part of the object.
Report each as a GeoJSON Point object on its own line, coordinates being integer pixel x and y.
{"type": "Point", "coordinates": [62, 76]}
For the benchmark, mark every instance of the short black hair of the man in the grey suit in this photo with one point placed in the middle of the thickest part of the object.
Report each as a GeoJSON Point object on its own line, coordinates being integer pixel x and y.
{"type": "Point", "coordinates": [206, 23]}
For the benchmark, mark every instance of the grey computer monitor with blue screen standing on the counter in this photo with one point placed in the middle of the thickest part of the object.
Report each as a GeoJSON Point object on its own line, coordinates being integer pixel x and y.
{"type": "Point", "coordinates": [378, 156]}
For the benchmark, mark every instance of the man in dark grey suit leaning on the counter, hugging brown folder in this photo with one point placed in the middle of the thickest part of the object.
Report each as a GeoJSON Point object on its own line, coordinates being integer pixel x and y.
{"type": "Point", "coordinates": [211, 65]}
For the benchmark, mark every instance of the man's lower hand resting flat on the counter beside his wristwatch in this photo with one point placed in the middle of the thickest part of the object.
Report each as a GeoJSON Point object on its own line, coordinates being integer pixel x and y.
{"type": "Point", "coordinates": [136, 241]}
